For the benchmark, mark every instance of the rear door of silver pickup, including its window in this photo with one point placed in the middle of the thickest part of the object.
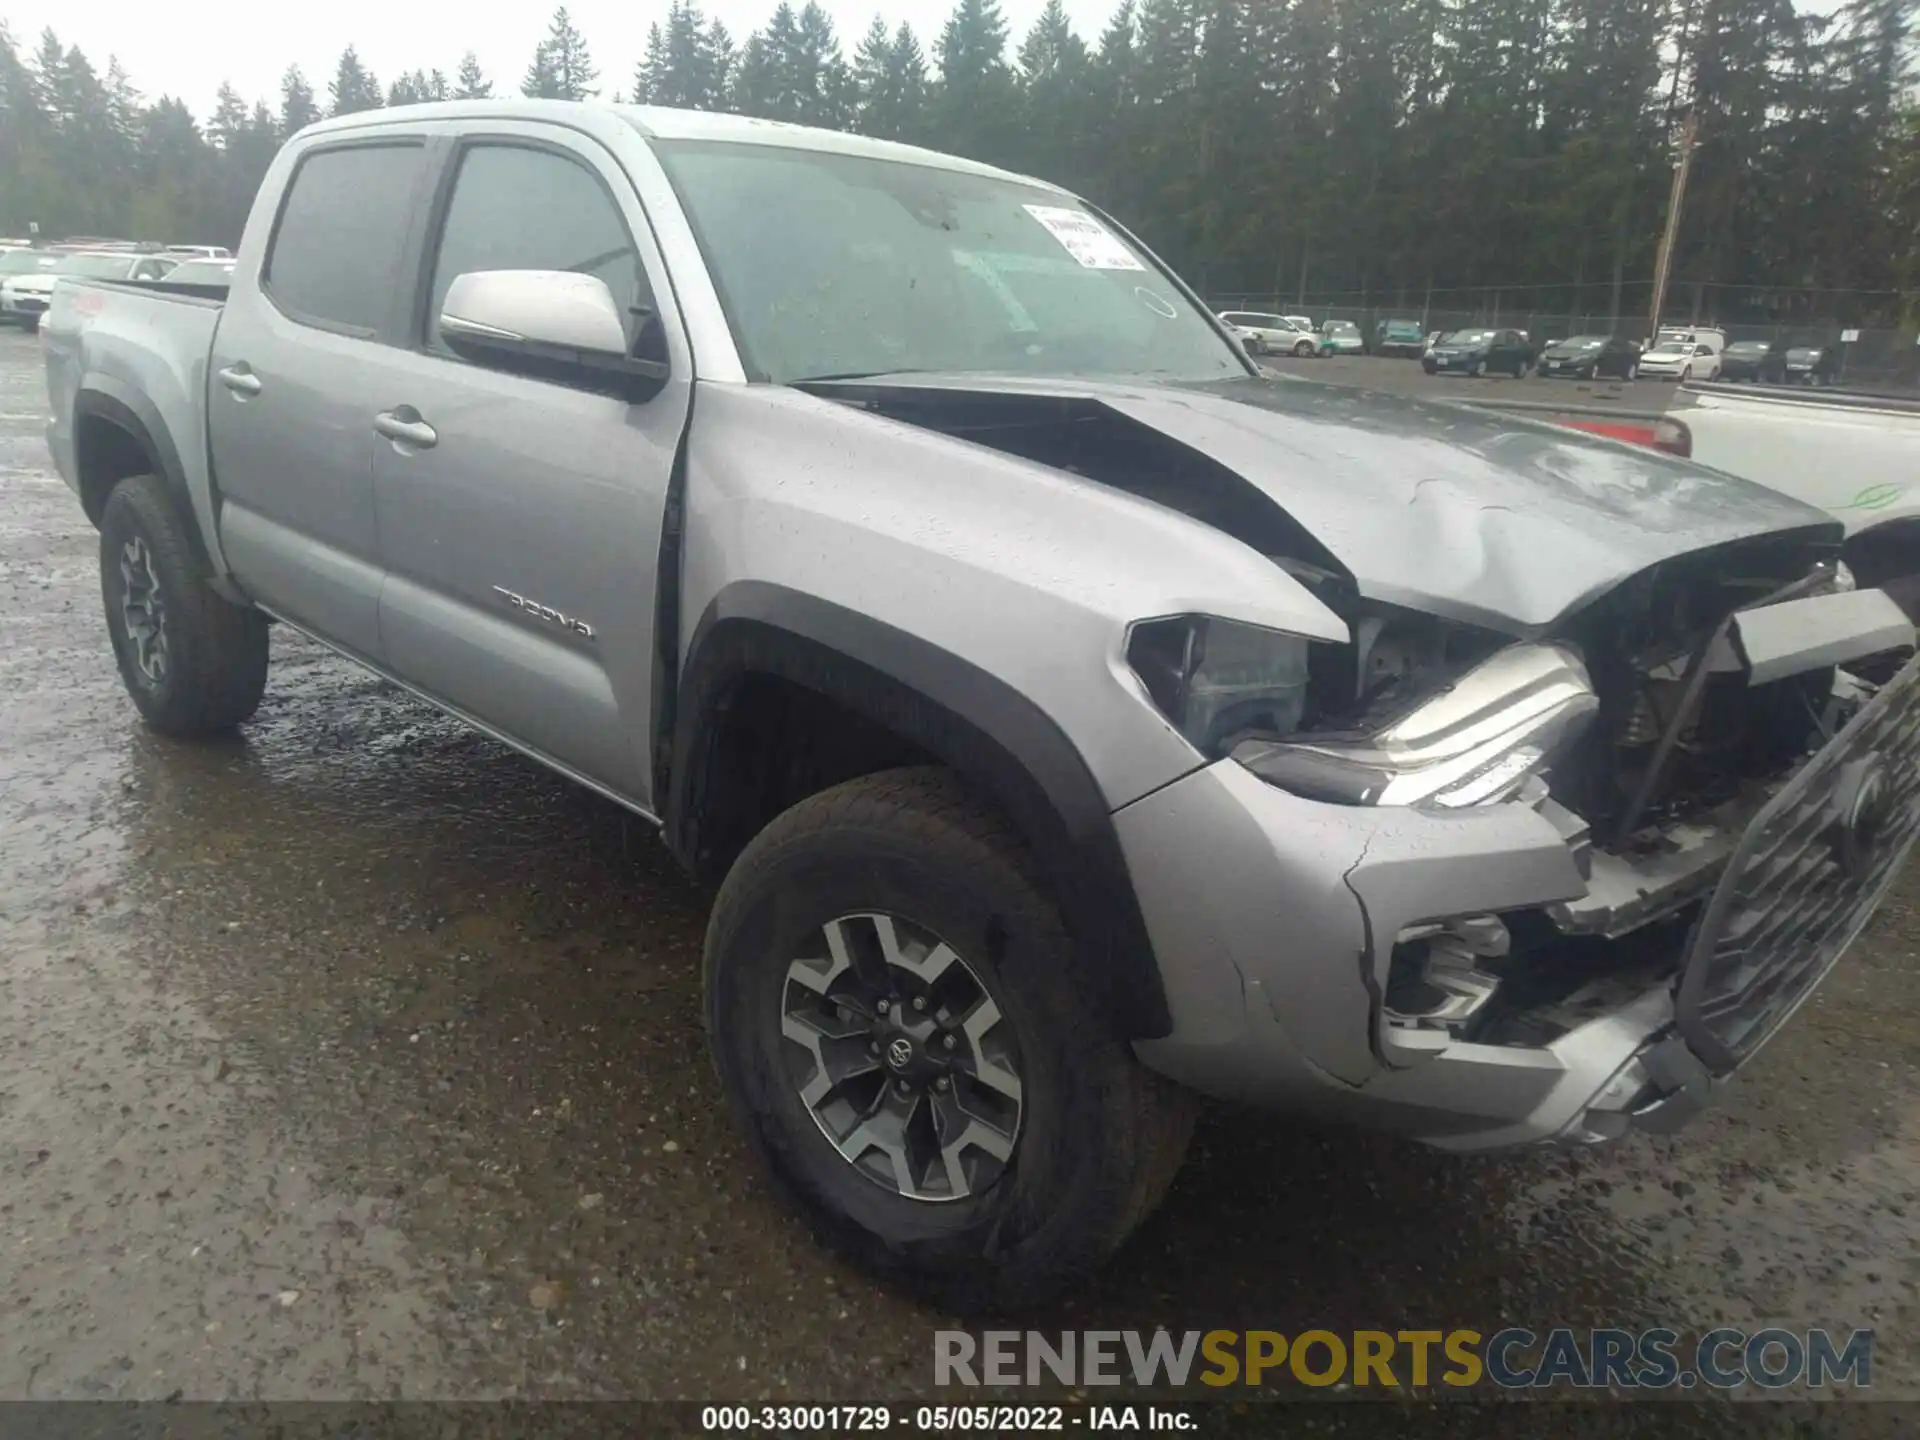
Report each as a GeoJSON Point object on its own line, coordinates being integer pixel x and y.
{"type": "Point", "coordinates": [291, 387]}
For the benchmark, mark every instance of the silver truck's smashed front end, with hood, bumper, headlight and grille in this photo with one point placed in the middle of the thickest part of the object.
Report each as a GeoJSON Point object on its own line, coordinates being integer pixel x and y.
{"type": "Point", "coordinates": [1610, 771]}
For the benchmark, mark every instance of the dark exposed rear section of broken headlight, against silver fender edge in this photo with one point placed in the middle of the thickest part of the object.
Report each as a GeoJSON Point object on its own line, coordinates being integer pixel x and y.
{"type": "Point", "coordinates": [1220, 681]}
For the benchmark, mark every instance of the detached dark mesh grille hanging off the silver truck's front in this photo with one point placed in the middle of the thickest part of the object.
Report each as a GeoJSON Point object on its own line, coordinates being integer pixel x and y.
{"type": "Point", "coordinates": [1806, 880]}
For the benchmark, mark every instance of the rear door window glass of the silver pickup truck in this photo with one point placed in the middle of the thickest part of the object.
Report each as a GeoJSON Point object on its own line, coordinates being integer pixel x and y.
{"type": "Point", "coordinates": [341, 235]}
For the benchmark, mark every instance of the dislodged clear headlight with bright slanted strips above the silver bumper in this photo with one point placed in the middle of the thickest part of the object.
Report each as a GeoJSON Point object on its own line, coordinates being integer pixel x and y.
{"type": "Point", "coordinates": [1474, 744]}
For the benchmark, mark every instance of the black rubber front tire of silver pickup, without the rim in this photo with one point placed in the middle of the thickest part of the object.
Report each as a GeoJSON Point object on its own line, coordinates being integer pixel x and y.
{"type": "Point", "coordinates": [1101, 1136]}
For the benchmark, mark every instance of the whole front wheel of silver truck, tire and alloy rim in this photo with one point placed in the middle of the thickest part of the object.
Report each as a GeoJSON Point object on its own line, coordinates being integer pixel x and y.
{"type": "Point", "coordinates": [919, 1051]}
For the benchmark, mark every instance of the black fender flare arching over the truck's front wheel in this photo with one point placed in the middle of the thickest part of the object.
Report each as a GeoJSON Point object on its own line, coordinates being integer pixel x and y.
{"type": "Point", "coordinates": [957, 713]}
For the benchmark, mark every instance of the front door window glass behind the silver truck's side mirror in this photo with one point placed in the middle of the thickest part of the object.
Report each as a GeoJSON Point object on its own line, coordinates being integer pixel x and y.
{"type": "Point", "coordinates": [516, 208]}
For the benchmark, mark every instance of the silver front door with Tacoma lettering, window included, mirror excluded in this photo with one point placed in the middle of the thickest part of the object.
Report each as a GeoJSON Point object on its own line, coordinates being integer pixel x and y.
{"type": "Point", "coordinates": [521, 540]}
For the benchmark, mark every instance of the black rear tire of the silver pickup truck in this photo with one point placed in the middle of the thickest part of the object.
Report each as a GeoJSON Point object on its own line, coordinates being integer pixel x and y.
{"type": "Point", "coordinates": [216, 667]}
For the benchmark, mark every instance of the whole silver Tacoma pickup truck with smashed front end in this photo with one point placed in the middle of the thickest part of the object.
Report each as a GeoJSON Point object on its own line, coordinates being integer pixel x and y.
{"type": "Point", "coordinates": [1072, 719]}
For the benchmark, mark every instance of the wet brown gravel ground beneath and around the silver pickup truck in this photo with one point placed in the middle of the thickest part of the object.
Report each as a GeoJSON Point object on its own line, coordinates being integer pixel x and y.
{"type": "Point", "coordinates": [362, 1059]}
